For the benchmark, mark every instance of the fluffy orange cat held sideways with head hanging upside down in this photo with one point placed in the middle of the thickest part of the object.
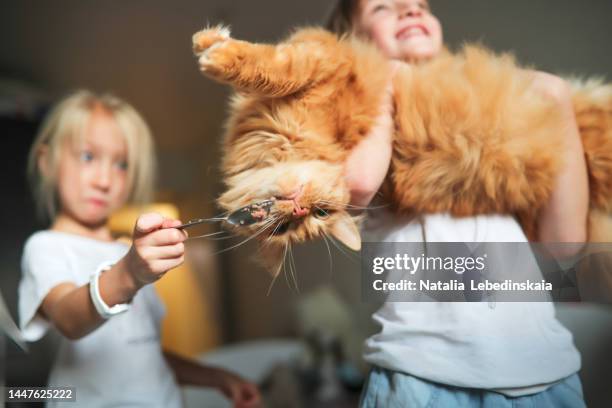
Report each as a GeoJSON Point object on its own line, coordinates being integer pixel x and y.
{"type": "Point", "coordinates": [471, 137]}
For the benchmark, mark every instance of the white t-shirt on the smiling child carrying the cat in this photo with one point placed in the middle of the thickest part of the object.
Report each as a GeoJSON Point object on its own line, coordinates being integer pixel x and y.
{"type": "Point", "coordinates": [515, 348]}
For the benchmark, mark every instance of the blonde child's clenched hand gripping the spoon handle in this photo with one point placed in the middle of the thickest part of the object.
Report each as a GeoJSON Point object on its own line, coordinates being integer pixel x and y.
{"type": "Point", "coordinates": [156, 248]}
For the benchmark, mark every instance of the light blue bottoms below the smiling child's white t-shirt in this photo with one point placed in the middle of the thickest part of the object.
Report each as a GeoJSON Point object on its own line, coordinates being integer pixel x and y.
{"type": "Point", "coordinates": [391, 389]}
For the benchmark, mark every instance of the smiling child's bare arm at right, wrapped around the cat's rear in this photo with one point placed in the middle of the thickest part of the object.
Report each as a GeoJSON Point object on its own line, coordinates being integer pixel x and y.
{"type": "Point", "coordinates": [564, 217]}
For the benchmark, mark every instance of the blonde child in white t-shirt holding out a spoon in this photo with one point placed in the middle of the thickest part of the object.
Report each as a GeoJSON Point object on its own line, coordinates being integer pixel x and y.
{"type": "Point", "coordinates": [93, 155]}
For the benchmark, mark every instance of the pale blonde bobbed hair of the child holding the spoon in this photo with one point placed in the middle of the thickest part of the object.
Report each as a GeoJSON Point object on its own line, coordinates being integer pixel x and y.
{"type": "Point", "coordinates": [68, 119]}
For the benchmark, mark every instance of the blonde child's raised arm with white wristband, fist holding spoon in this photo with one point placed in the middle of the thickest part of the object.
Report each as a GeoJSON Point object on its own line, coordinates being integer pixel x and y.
{"type": "Point", "coordinates": [156, 249]}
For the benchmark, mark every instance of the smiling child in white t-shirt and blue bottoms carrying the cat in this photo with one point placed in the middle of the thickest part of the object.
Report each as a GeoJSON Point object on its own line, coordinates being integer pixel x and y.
{"type": "Point", "coordinates": [462, 354]}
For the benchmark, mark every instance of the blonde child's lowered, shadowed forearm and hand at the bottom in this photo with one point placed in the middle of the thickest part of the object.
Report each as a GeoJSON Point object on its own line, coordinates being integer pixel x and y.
{"type": "Point", "coordinates": [187, 372]}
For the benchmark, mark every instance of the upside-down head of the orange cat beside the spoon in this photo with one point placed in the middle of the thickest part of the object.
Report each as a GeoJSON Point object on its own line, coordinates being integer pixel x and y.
{"type": "Point", "coordinates": [310, 201]}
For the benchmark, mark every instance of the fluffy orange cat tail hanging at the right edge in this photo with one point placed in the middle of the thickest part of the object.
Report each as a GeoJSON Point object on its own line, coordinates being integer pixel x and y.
{"type": "Point", "coordinates": [593, 106]}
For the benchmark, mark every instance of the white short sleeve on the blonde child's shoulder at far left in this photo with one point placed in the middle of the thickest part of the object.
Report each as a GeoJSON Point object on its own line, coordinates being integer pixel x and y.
{"type": "Point", "coordinates": [44, 265]}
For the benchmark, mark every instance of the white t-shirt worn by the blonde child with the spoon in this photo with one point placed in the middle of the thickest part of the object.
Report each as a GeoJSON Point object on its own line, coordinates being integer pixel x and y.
{"type": "Point", "coordinates": [121, 362]}
